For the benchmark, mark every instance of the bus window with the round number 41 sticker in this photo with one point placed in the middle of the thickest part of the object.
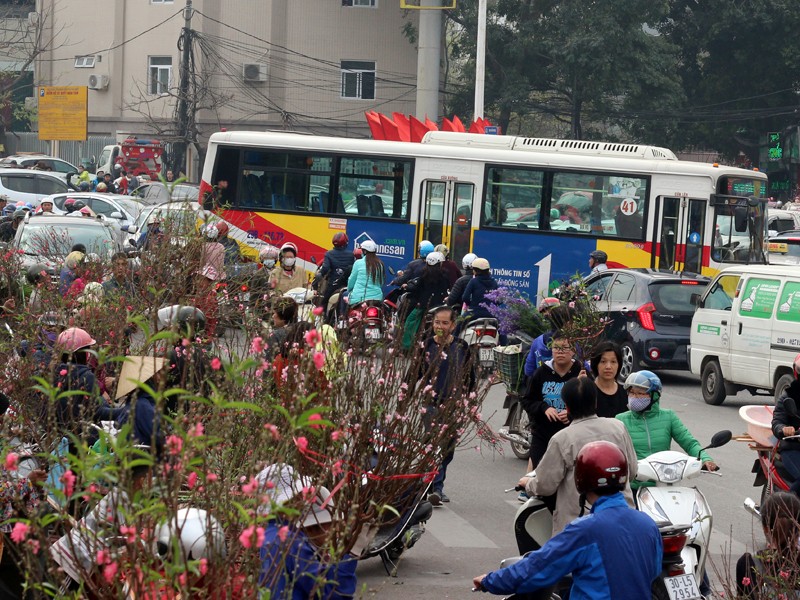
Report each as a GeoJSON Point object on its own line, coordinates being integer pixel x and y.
{"type": "Point", "coordinates": [600, 205]}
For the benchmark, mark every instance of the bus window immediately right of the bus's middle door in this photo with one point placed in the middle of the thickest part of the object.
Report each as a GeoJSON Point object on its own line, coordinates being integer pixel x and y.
{"type": "Point", "coordinates": [513, 198]}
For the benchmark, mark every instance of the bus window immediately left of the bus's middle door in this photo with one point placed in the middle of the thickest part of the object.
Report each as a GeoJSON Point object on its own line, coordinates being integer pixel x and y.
{"type": "Point", "coordinates": [371, 187]}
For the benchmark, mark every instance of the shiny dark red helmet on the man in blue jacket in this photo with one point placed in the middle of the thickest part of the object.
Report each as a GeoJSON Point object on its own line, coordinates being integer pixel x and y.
{"type": "Point", "coordinates": [601, 467]}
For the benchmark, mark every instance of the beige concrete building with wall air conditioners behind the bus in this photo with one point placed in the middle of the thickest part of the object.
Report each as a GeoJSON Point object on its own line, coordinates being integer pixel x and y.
{"type": "Point", "coordinates": [306, 65]}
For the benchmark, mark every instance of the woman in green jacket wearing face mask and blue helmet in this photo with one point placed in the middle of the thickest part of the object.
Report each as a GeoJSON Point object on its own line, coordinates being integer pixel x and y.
{"type": "Point", "coordinates": [653, 428]}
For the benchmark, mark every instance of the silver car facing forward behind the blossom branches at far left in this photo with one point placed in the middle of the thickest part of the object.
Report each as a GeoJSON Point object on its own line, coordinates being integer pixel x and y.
{"type": "Point", "coordinates": [47, 239]}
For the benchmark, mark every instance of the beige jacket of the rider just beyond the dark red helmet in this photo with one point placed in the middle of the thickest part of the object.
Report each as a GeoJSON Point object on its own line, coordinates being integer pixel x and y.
{"type": "Point", "coordinates": [555, 473]}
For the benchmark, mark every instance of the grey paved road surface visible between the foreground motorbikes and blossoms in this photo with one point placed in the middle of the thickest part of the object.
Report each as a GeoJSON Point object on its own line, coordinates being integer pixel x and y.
{"type": "Point", "coordinates": [473, 533]}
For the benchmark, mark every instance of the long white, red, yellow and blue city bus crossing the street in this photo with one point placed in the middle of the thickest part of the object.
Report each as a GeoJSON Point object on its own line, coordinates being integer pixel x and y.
{"type": "Point", "coordinates": [534, 207]}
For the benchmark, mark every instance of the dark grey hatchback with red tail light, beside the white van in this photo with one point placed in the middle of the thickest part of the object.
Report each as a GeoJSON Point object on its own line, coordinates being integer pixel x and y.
{"type": "Point", "coordinates": [650, 315]}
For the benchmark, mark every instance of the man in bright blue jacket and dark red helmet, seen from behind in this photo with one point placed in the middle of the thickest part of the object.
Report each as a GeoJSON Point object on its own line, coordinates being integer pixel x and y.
{"type": "Point", "coordinates": [613, 553]}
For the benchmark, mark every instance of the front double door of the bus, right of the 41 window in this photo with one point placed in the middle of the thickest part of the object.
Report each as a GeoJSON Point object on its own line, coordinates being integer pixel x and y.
{"type": "Point", "coordinates": [679, 232]}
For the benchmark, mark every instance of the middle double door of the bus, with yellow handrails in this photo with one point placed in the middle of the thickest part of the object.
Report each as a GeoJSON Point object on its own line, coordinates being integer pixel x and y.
{"type": "Point", "coordinates": [447, 215]}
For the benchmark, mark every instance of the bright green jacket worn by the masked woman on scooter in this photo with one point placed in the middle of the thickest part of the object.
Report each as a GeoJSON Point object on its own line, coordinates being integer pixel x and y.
{"type": "Point", "coordinates": [653, 431]}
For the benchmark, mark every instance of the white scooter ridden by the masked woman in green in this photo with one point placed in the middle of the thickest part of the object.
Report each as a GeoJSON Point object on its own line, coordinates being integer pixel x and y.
{"type": "Point", "coordinates": [680, 511]}
